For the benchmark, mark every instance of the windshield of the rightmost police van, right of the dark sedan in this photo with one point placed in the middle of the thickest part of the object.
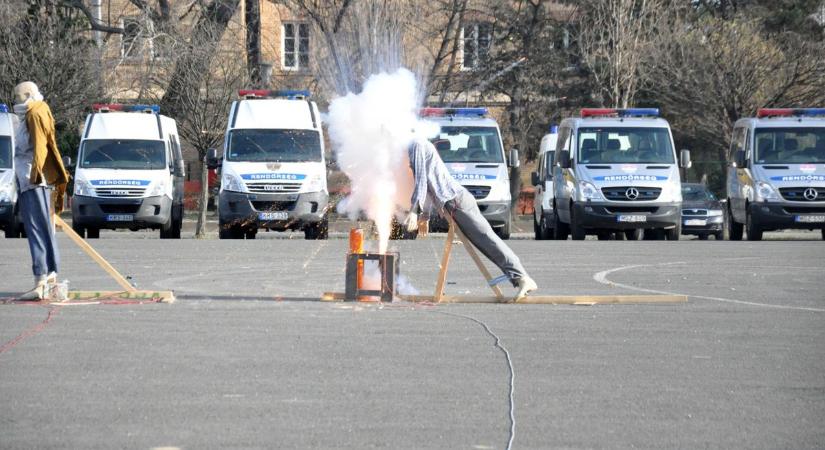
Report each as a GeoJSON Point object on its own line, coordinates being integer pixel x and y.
{"type": "Point", "coordinates": [790, 145]}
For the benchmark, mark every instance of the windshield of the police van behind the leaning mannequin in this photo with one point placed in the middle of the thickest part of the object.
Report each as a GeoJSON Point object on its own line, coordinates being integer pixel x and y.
{"type": "Point", "coordinates": [469, 144]}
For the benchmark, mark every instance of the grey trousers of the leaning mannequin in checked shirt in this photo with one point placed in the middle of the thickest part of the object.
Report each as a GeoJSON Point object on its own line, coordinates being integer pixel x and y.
{"type": "Point", "coordinates": [464, 211]}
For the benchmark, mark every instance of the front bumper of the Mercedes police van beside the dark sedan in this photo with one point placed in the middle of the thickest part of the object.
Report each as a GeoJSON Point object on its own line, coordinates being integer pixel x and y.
{"type": "Point", "coordinates": [606, 215]}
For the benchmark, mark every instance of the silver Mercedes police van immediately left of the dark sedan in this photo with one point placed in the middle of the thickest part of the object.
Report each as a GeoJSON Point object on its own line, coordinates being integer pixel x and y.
{"type": "Point", "coordinates": [617, 173]}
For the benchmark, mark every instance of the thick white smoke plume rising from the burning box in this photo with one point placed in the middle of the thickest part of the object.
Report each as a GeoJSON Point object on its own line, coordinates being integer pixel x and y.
{"type": "Point", "coordinates": [370, 133]}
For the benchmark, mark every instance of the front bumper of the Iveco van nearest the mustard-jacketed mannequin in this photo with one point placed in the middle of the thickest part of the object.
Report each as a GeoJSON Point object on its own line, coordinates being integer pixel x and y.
{"type": "Point", "coordinates": [147, 212]}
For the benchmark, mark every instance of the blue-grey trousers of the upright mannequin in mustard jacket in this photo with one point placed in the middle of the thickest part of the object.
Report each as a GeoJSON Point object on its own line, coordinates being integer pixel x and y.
{"type": "Point", "coordinates": [36, 216]}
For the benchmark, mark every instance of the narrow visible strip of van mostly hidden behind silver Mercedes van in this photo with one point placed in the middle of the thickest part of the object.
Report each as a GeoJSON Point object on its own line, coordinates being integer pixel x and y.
{"type": "Point", "coordinates": [542, 180]}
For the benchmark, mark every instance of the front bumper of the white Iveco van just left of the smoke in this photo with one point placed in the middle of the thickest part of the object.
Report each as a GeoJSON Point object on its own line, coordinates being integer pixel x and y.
{"type": "Point", "coordinates": [237, 208]}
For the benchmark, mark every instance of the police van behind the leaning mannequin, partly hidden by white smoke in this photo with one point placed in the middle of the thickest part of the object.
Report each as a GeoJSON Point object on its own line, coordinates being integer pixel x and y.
{"type": "Point", "coordinates": [470, 145]}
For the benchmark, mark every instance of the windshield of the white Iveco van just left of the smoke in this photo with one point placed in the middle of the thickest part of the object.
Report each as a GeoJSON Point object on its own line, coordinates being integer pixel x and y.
{"type": "Point", "coordinates": [274, 146]}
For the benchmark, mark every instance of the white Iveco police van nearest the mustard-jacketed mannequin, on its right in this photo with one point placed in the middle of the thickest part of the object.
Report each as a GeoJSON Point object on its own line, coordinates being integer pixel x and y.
{"type": "Point", "coordinates": [129, 172]}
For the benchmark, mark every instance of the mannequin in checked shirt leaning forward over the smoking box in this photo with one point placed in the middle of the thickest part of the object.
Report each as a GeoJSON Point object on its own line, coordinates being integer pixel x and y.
{"type": "Point", "coordinates": [433, 182]}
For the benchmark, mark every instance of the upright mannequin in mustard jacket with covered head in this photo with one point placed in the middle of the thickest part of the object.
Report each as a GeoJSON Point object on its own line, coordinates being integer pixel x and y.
{"type": "Point", "coordinates": [38, 167]}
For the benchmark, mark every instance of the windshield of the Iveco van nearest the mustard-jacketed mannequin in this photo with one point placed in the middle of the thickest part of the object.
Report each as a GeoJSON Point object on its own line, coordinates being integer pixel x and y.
{"type": "Point", "coordinates": [126, 154]}
